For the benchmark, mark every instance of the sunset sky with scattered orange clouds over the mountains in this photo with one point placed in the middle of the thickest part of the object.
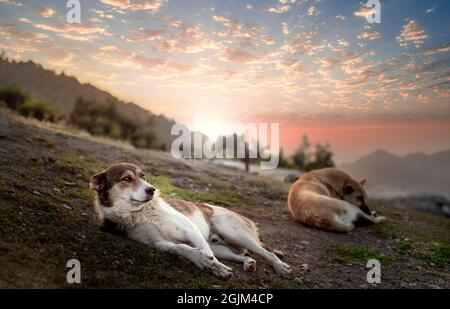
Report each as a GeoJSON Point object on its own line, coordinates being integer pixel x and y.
{"type": "Point", "coordinates": [317, 67]}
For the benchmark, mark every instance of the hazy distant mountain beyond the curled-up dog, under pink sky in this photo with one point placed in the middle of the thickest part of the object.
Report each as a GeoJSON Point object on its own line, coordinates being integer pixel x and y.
{"type": "Point", "coordinates": [390, 175]}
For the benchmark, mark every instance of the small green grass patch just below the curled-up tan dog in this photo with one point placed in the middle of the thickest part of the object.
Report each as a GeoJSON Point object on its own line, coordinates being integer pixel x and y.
{"type": "Point", "coordinates": [356, 254]}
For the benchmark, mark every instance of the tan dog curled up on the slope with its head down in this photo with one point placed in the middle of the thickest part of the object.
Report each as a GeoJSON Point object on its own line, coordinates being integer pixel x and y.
{"type": "Point", "coordinates": [330, 199]}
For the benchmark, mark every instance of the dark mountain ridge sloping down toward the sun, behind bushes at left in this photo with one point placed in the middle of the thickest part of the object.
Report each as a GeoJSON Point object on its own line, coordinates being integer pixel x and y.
{"type": "Point", "coordinates": [61, 91]}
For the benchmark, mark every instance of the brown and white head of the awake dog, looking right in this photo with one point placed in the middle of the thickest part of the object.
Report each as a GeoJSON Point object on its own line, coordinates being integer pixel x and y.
{"type": "Point", "coordinates": [122, 184]}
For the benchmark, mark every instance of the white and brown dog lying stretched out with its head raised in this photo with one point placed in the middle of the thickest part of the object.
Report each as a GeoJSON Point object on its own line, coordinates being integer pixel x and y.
{"type": "Point", "coordinates": [201, 233]}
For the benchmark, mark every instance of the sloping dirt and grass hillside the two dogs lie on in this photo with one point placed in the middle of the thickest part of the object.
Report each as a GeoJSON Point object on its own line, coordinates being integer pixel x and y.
{"type": "Point", "coordinates": [47, 218]}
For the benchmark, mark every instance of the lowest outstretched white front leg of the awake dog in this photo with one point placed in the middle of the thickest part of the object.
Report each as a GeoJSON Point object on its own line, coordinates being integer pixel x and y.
{"type": "Point", "coordinates": [201, 258]}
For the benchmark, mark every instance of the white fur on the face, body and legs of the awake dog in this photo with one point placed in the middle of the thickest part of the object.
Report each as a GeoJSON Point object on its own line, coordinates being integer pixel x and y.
{"type": "Point", "coordinates": [158, 224]}
